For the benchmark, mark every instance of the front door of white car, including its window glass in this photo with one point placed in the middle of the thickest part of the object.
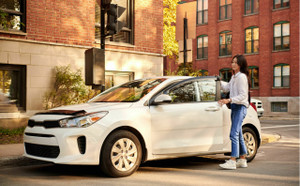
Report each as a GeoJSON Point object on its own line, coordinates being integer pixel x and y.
{"type": "Point", "coordinates": [191, 123]}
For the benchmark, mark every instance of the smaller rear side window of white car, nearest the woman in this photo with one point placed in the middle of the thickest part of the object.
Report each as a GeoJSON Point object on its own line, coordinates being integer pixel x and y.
{"type": "Point", "coordinates": [207, 89]}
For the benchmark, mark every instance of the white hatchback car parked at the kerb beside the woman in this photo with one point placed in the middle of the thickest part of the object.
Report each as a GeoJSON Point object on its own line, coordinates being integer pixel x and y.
{"type": "Point", "coordinates": [142, 120]}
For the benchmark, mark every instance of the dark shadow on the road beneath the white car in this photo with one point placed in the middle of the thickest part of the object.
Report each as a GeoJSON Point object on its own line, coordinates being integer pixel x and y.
{"type": "Point", "coordinates": [42, 169]}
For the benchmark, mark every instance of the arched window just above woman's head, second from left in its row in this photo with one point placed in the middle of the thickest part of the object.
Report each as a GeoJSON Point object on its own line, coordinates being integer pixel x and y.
{"type": "Point", "coordinates": [225, 43]}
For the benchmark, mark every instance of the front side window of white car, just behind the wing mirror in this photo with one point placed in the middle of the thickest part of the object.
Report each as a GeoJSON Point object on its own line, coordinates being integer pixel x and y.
{"type": "Point", "coordinates": [184, 93]}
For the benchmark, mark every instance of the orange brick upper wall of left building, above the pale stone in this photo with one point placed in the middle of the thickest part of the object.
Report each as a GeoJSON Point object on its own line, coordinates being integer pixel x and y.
{"type": "Point", "coordinates": [73, 22]}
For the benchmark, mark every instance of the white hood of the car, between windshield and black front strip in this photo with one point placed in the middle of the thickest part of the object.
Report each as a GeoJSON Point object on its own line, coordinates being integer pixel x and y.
{"type": "Point", "coordinates": [95, 106]}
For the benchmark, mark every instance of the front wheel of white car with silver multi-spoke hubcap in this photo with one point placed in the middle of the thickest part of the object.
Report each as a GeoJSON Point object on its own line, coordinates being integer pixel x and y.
{"type": "Point", "coordinates": [121, 154]}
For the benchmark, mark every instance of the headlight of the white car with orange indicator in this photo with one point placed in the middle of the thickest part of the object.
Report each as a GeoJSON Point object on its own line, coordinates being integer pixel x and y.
{"type": "Point", "coordinates": [82, 121]}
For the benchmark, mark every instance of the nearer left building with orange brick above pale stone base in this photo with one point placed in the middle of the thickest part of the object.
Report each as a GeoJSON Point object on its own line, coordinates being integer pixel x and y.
{"type": "Point", "coordinates": [45, 34]}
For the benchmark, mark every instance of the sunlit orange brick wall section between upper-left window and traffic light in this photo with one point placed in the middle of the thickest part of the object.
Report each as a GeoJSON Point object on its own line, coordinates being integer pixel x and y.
{"type": "Point", "coordinates": [68, 21]}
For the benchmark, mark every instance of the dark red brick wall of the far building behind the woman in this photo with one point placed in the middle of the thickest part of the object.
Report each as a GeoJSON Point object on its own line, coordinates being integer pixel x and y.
{"type": "Point", "coordinates": [266, 58]}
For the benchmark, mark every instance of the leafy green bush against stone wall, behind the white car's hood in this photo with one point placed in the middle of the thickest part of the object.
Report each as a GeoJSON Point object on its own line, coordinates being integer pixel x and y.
{"type": "Point", "coordinates": [69, 88]}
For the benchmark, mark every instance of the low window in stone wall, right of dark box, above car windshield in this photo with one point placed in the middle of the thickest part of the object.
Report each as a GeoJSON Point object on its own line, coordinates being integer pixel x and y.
{"type": "Point", "coordinates": [114, 78]}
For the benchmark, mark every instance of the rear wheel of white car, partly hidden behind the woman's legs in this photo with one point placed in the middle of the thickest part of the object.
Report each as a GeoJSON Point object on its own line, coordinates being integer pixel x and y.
{"type": "Point", "coordinates": [251, 142]}
